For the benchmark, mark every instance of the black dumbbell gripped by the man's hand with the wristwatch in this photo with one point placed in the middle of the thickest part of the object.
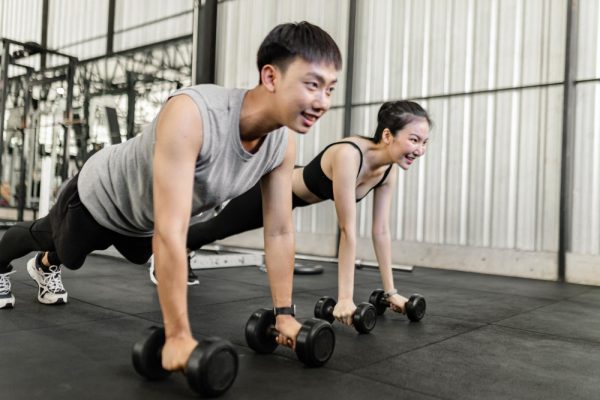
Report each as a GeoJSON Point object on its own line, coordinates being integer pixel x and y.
{"type": "Point", "coordinates": [314, 344]}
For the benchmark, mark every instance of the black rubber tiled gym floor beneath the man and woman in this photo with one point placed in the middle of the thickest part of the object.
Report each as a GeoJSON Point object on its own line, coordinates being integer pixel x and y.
{"type": "Point", "coordinates": [484, 337]}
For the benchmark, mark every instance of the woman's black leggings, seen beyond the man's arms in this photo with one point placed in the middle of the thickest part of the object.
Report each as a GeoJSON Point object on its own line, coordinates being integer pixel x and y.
{"type": "Point", "coordinates": [241, 214]}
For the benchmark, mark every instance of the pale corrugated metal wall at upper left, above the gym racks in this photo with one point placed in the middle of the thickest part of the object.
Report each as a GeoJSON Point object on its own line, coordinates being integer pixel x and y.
{"type": "Point", "coordinates": [79, 28]}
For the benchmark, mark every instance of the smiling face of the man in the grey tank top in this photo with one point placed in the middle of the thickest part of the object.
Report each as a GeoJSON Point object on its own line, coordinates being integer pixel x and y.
{"type": "Point", "coordinates": [304, 93]}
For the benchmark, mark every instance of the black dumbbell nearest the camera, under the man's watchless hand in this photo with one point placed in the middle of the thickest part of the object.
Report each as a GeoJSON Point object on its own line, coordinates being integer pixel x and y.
{"type": "Point", "coordinates": [211, 368]}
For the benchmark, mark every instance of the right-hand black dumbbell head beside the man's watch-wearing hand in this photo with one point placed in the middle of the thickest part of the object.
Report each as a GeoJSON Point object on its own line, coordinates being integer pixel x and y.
{"type": "Point", "coordinates": [315, 342]}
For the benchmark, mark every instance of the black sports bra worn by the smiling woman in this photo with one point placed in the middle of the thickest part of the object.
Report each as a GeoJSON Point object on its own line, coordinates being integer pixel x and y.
{"type": "Point", "coordinates": [320, 185]}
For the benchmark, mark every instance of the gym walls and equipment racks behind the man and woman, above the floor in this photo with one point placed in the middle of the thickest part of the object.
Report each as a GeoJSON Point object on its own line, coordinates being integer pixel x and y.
{"type": "Point", "coordinates": [511, 181]}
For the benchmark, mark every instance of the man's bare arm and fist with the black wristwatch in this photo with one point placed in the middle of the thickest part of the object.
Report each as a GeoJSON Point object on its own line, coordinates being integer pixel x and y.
{"type": "Point", "coordinates": [279, 238]}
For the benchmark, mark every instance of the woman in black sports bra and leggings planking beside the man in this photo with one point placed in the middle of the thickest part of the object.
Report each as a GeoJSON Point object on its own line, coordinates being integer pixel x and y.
{"type": "Point", "coordinates": [345, 171]}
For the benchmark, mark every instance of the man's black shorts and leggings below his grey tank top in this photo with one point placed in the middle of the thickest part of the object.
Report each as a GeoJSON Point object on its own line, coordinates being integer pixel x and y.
{"type": "Point", "coordinates": [69, 233]}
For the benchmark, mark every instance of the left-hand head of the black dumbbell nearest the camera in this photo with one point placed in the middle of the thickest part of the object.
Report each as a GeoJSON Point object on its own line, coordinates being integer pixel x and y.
{"type": "Point", "coordinates": [146, 355]}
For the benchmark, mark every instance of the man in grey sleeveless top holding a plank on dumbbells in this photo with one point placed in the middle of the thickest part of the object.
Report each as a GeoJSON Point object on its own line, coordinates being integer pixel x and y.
{"type": "Point", "coordinates": [207, 145]}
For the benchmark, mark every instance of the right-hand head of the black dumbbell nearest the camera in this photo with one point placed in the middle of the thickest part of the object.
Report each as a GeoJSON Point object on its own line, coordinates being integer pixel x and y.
{"type": "Point", "coordinates": [212, 367]}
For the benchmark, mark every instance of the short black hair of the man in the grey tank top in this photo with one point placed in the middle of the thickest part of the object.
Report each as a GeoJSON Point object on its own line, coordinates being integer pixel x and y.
{"type": "Point", "coordinates": [304, 40]}
